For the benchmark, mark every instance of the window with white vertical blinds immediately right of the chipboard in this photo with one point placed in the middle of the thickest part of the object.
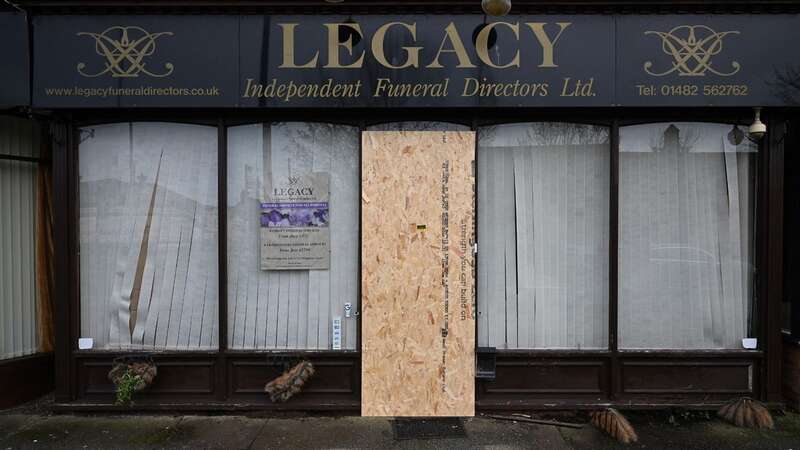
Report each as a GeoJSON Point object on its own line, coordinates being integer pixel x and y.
{"type": "Point", "coordinates": [543, 218]}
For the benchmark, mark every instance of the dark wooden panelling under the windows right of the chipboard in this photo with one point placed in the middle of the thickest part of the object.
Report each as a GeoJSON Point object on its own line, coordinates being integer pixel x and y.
{"type": "Point", "coordinates": [643, 380]}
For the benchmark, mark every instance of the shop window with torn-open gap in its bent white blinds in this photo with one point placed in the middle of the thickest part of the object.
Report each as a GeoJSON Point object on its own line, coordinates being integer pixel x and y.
{"type": "Point", "coordinates": [148, 236]}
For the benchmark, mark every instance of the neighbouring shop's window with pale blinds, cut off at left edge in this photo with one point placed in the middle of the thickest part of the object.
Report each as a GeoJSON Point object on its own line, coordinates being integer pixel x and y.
{"type": "Point", "coordinates": [20, 141]}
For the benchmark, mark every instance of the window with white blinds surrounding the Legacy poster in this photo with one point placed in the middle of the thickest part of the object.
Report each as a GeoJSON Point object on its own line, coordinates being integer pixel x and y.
{"type": "Point", "coordinates": [291, 309]}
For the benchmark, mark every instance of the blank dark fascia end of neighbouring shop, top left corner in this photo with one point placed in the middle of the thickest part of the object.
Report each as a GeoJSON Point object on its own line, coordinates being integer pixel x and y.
{"type": "Point", "coordinates": [14, 73]}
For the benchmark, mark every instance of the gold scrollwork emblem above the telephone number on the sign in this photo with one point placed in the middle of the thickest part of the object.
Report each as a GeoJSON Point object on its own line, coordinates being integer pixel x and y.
{"type": "Point", "coordinates": [691, 47]}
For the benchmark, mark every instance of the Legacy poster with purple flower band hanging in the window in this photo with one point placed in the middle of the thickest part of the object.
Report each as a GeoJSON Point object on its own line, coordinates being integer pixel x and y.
{"type": "Point", "coordinates": [294, 222]}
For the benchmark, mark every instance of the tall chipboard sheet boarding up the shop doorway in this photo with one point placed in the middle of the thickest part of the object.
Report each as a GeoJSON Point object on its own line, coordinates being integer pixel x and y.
{"type": "Point", "coordinates": [418, 304]}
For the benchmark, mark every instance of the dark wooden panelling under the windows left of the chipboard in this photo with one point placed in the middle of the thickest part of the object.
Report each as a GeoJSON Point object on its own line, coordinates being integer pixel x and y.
{"type": "Point", "coordinates": [187, 382]}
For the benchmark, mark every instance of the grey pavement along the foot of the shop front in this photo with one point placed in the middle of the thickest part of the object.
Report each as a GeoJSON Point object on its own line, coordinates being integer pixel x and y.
{"type": "Point", "coordinates": [659, 430]}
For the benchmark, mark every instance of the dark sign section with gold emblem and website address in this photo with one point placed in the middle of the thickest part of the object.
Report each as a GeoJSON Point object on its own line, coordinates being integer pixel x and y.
{"type": "Point", "coordinates": [135, 61]}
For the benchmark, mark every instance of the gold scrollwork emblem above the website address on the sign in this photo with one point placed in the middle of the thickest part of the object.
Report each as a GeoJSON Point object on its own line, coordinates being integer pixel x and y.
{"type": "Point", "coordinates": [125, 49]}
